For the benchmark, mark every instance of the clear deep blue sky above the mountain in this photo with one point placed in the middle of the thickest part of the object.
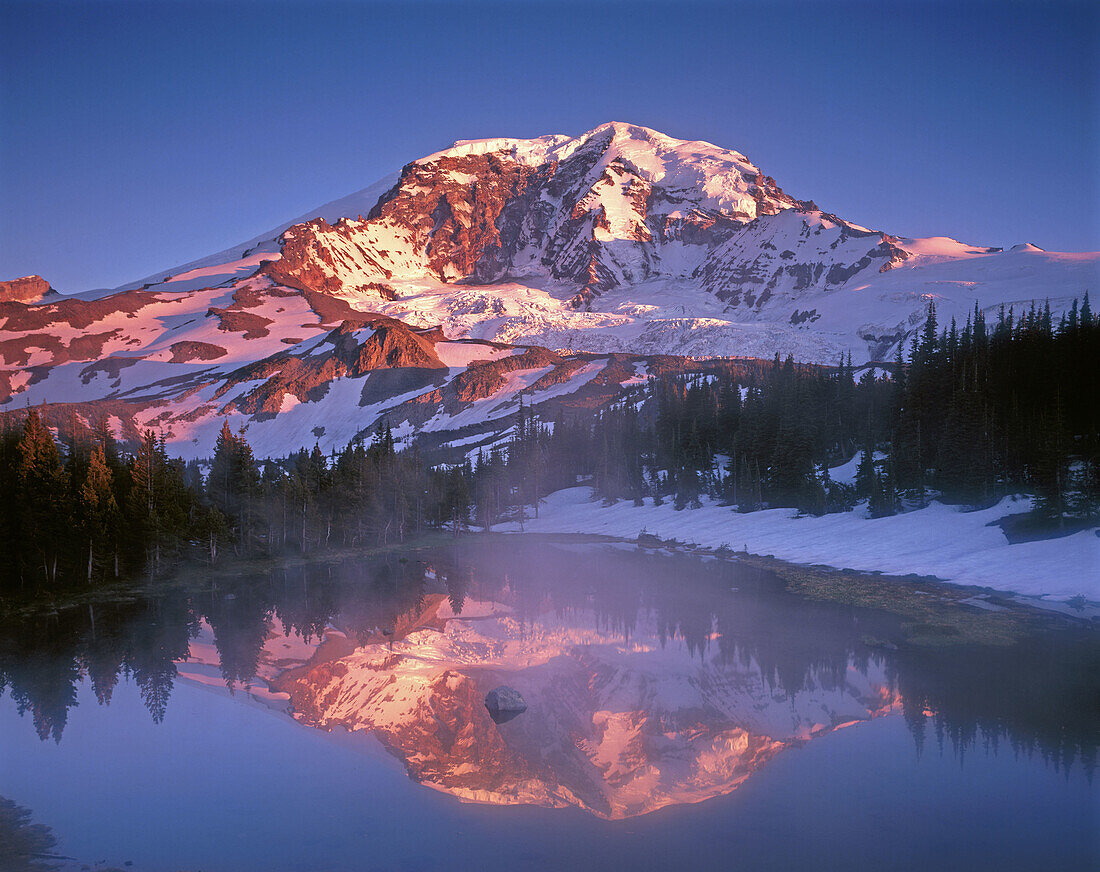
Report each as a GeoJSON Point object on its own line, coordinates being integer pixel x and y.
{"type": "Point", "coordinates": [136, 137]}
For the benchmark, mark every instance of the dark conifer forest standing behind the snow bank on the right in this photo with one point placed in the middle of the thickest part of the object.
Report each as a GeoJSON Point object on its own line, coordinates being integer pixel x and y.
{"type": "Point", "coordinates": [970, 415]}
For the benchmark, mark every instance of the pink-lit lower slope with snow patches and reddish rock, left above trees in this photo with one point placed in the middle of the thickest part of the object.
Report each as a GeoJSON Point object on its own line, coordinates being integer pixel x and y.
{"type": "Point", "coordinates": [293, 368]}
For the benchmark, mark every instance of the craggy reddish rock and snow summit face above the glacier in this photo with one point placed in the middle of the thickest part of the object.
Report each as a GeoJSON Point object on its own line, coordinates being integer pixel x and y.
{"type": "Point", "coordinates": [598, 212]}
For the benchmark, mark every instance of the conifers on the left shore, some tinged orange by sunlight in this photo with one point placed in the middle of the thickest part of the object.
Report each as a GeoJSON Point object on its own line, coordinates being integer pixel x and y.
{"type": "Point", "coordinates": [82, 511]}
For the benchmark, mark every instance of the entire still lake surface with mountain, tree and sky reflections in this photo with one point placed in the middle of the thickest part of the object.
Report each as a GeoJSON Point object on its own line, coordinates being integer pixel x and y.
{"type": "Point", "coordinates": [681, 712]}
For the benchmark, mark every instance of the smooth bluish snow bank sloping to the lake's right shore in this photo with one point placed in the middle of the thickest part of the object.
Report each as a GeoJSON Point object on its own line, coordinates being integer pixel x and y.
{"type": "Point", "coordinates": [940, 540]}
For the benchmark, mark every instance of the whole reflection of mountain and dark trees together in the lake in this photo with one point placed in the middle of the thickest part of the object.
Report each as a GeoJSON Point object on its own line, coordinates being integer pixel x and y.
{"type": "Point", "coordinates": [651, 679]}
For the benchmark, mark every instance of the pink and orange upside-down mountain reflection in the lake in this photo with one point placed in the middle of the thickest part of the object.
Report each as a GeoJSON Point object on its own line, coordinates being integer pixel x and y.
{"type": "Point", "coordinates": [620, 725]}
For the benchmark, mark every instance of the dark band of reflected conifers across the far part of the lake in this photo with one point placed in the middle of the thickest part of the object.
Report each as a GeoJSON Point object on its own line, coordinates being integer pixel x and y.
{"type": "Point", "coordinates": [1036, 696]}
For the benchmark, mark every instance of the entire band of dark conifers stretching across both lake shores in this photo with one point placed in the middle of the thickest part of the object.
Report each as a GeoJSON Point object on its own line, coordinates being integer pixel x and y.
{"type": "Point", "coordinates": [970, 415]}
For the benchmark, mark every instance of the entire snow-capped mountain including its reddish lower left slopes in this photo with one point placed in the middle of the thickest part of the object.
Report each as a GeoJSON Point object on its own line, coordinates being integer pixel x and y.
{"type": "Point", "coordinates": [621, 240]}
